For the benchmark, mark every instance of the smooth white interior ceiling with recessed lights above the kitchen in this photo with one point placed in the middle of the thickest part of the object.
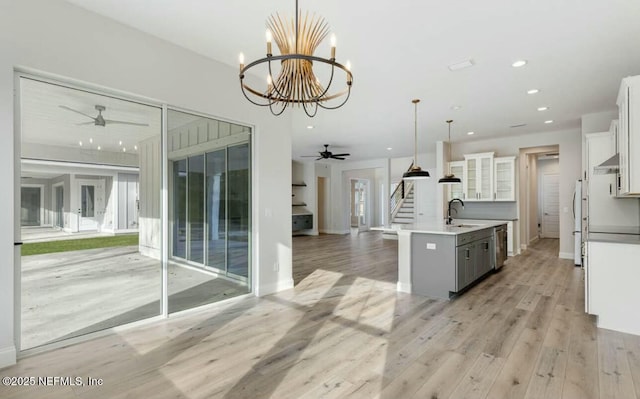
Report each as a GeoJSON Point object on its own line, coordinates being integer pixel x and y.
{"type": "Point", "coordinates": [578, 50]}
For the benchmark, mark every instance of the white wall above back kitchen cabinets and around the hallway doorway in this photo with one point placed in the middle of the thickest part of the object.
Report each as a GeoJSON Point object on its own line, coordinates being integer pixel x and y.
{"type": "Point", "coordinates": [569, 142]}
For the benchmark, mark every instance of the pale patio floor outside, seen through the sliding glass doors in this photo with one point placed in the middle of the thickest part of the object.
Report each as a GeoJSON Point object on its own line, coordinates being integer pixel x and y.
{"type": "Point", "coordinates": [69, 294]}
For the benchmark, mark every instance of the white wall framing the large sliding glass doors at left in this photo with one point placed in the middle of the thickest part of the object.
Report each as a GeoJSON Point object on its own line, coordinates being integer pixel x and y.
{"type": "Point", "coordinates": [59, 38]}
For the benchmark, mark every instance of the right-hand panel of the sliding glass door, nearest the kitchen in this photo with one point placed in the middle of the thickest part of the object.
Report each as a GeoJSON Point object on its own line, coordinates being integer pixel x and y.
{"type": "Point", "coordinates": [210, 204]}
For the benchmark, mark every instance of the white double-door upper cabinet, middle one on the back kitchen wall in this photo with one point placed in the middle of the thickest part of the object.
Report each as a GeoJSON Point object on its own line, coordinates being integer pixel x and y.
{"type": "Point", "coordinates": [479, 177]}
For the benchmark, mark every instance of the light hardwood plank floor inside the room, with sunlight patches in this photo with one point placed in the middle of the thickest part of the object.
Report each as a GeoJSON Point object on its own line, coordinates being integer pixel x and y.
{"type": "Point", "coordinates": [344, 332]}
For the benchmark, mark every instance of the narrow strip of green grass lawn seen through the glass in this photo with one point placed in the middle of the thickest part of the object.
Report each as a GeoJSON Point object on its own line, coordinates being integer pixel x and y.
{"type": "Point", "coordinates": [38, 248]}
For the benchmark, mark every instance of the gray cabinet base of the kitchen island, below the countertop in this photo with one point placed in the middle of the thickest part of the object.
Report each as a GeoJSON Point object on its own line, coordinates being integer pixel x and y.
{"type": "Point", "coordinates": [444, 264]}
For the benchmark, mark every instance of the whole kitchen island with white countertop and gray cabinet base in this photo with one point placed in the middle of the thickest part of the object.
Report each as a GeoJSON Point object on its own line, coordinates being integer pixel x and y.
{"type": "Point", "coordinates": [440, 260]}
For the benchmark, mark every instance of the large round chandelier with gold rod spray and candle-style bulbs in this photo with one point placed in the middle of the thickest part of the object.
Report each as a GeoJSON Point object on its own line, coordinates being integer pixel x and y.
{"type": "Point", "coordinates": [294, 80]}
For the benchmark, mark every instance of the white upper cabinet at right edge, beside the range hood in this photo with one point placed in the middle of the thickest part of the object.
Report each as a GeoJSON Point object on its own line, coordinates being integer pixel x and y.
{"type": "Point", "coordinates": [629, 136]}
